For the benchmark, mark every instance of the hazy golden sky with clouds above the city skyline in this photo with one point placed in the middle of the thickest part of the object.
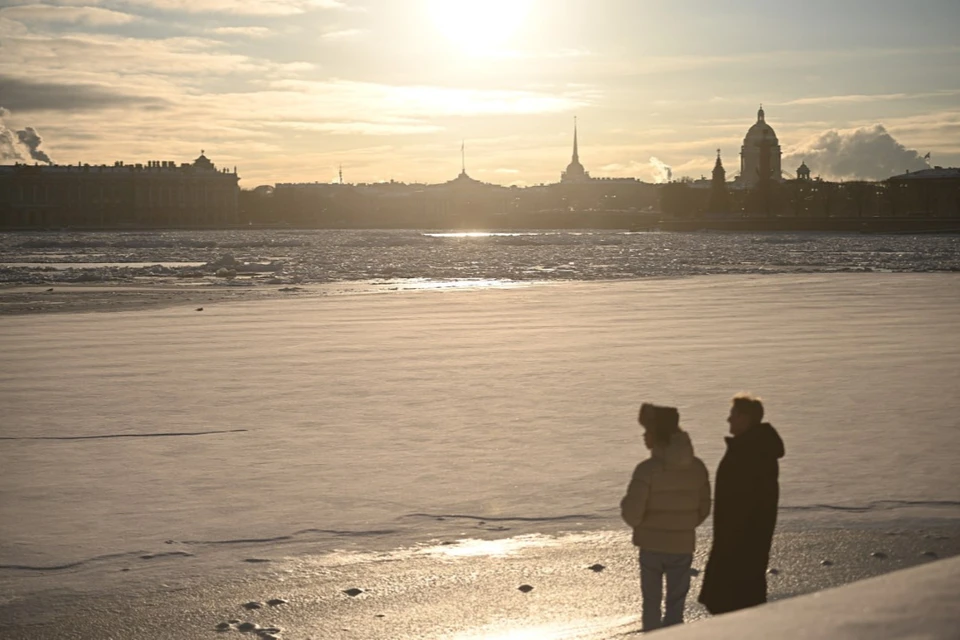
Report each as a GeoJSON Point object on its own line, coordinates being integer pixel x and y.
{"type": "Point", "coordinates": [291, 90]}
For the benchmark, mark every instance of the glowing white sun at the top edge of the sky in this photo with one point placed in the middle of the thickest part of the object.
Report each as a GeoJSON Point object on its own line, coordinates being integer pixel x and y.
{"type": "Point", "coordinates": [479, 26]}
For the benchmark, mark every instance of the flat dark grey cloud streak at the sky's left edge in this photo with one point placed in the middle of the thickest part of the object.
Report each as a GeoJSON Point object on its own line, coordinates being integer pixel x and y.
{"type": "Point", "coordinates": [27, 95]}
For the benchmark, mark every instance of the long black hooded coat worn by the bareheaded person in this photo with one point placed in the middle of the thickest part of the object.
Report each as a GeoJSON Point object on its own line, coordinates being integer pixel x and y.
{"type": "Point", "coordinates": [744, 517]}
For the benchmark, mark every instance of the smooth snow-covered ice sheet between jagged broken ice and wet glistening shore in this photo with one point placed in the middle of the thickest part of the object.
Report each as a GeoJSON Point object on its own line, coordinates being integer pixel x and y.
{"type": "Point", "coordinates": [305, 425]}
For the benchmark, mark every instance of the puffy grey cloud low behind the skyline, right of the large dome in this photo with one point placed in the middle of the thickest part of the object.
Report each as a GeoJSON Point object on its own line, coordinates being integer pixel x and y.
{"type": "Point", "coordinates": [867, 153]}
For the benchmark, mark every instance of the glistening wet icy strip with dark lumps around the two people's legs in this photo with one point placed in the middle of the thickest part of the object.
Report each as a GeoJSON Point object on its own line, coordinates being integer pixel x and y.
{"type": "Point", "coordinates": [445, 589]}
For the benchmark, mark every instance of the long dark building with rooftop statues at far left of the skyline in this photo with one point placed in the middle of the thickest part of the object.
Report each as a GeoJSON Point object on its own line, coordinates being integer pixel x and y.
{"type": "Point", "coordinates": [156, 194]}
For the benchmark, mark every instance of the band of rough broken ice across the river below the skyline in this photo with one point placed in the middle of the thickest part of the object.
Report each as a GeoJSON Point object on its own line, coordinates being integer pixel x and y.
{"type": "Point", "coordinates": [272, 257]}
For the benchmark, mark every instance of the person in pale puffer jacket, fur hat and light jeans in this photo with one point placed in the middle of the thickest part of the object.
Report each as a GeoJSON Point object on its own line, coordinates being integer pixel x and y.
{"type": "Point", "coordinates": [667, 499]}
